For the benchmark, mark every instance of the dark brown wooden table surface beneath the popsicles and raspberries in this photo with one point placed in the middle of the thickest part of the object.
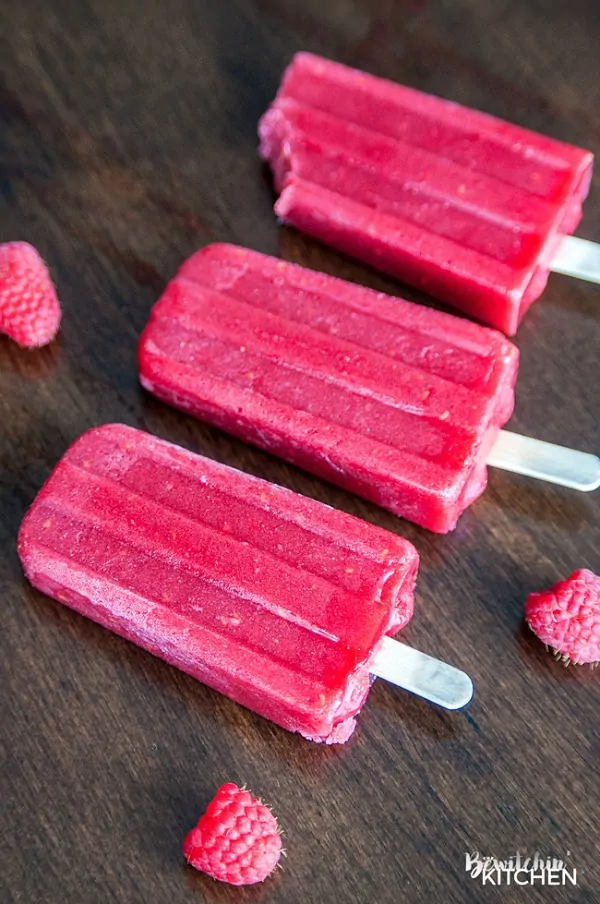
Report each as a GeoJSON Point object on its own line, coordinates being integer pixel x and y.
{"type": "Point", "coordinates": [128, 140]}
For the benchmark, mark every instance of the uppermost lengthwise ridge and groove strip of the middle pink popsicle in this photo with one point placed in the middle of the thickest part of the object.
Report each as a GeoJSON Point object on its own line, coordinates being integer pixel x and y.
{"type": "Point", "coordinates": [456, 350]}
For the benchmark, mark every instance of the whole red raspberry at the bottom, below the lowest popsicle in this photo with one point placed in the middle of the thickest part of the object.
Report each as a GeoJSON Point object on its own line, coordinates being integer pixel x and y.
{"type": "Point", "coordinates": [237, 840]}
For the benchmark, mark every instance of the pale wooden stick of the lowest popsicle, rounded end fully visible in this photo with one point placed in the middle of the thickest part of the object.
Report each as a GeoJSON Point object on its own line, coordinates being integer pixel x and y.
{"type": "Point", "coordinates": [422, 674]}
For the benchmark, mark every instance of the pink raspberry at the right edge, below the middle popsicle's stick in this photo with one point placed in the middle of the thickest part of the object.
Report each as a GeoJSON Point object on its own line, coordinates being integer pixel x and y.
{"type": "Point", "coordinates": [567, 617]}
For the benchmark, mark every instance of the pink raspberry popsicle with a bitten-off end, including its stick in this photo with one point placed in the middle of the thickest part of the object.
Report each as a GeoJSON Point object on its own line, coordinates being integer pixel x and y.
{"type": "Point", "coordinates": [467, 207]}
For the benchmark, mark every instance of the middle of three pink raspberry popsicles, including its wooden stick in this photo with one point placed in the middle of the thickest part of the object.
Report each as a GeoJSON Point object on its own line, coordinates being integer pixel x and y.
{"type": "Point", "coordinates": [391, 400]}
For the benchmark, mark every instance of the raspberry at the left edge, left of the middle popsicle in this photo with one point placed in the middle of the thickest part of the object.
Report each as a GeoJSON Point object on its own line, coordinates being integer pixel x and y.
{"type": "Point", "coordinates": [29, 309]}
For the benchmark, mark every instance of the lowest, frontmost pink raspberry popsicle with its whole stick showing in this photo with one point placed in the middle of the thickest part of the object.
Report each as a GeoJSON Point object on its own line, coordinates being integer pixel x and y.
{"type": "Point", "coordinates": [281, 603]}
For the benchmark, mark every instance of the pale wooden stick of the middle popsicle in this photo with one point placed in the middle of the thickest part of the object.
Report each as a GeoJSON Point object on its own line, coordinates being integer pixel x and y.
{"type": "Point", "coordinates": [546, 461]}
